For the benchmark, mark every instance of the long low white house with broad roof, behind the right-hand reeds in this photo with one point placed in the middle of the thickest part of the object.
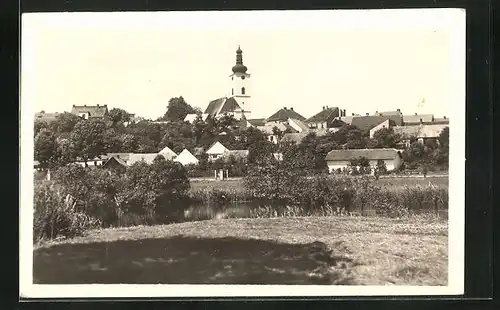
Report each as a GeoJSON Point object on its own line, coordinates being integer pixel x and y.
{"type": "Point", "coordinates": [340, 159]}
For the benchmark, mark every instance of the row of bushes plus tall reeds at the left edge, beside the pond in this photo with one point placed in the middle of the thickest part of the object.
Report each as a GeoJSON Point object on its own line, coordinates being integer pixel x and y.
{"type": "Point", "coordinates": [80, 198]}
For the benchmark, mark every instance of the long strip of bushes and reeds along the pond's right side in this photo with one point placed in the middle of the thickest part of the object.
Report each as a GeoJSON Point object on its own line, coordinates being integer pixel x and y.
{"type": "Point", "coordinates": [280, 186]}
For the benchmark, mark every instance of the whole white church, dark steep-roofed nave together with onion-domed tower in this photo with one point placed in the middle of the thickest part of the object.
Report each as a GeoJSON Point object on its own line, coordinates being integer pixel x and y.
{"type": "Point", "coordinates": [238, 104]}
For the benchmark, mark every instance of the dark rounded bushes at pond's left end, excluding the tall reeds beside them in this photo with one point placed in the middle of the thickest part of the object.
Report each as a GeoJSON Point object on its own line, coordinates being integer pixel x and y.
{"type": "Point", "coordinates": [144, 194]}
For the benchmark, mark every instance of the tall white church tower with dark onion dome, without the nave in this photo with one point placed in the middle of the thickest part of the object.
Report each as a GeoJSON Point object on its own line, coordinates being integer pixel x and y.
{"type": "Point", "coordinates": [239, 85]}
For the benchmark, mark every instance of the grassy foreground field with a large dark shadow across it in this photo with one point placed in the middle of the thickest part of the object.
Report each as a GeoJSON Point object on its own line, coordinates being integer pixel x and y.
{"type": "Point", "coordinates": [309, 250]}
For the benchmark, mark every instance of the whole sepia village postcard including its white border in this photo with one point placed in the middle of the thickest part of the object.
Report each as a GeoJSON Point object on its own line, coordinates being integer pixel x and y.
{"type": "Point", "coordinates": [243, 153]}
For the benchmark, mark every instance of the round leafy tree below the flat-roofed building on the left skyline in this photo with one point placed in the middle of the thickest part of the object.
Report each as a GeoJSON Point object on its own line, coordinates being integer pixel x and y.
{"type": "Point", "coordinates": [87, 139]}
